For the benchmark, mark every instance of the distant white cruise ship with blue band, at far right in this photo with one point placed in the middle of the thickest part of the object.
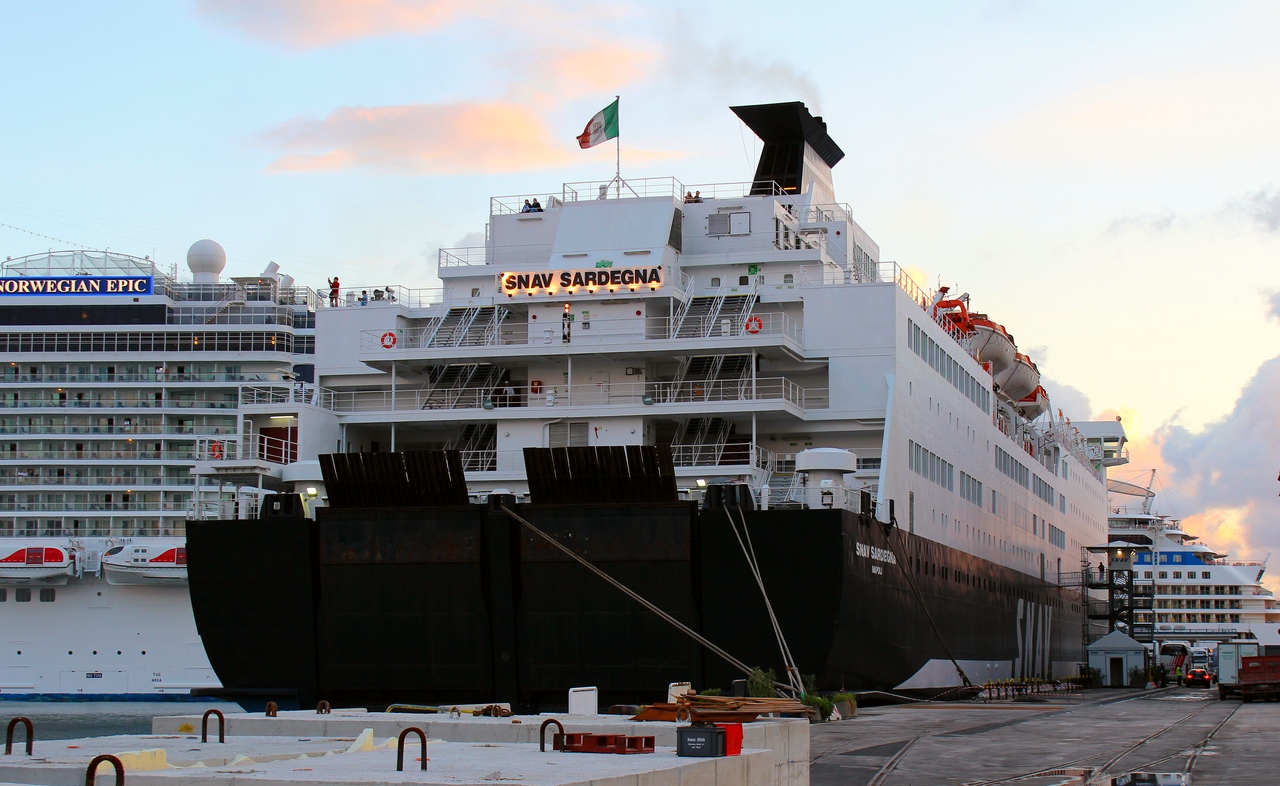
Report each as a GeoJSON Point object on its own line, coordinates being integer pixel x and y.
{"type": "Point", "coordinates": [1200, 595]}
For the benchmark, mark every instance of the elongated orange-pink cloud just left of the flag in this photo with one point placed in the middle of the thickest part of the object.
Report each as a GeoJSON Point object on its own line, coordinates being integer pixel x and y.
{"type": "Point", "coordinates": [420, 139]}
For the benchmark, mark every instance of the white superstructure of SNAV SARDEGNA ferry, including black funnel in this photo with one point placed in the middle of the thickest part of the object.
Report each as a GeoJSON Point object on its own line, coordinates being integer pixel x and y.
{"type": "Point", "coordinates": [744, 325]}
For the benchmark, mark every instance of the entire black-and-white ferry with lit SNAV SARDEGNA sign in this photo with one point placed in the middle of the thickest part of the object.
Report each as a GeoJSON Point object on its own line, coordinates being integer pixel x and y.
{"type": "Point", "coordinates": [926, 502]}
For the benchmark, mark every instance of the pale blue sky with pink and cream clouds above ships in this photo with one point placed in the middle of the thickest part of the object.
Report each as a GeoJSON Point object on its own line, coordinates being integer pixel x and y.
{"type": "Point", "coordinates": [1101, 179]}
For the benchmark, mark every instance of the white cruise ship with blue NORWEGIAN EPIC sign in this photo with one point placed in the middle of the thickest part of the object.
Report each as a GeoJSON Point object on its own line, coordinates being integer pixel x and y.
{"type": "Point", "coordinates": [117, 380]}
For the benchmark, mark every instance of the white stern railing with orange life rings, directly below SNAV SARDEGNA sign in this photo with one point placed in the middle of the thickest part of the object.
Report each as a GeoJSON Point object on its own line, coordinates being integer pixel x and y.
{"type": "Point", "coordinates": [597, 332]}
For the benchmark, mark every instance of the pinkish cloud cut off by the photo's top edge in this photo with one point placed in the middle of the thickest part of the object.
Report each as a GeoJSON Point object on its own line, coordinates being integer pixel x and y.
{"type": "Point", "coordinates": [316, 24]}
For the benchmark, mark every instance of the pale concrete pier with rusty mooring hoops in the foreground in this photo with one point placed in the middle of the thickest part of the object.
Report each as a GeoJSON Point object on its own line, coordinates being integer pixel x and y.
{"type": "Point", "coordinates": [356, 748]}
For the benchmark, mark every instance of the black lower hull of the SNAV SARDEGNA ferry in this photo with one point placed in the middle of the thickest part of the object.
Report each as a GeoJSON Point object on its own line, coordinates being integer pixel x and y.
{"type": "Point", "coordinates": [463, 604]}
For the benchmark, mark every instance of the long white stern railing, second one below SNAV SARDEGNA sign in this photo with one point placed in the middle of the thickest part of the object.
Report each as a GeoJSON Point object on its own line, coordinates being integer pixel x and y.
{"type": "Point", "coordinates": [605, 394]}
